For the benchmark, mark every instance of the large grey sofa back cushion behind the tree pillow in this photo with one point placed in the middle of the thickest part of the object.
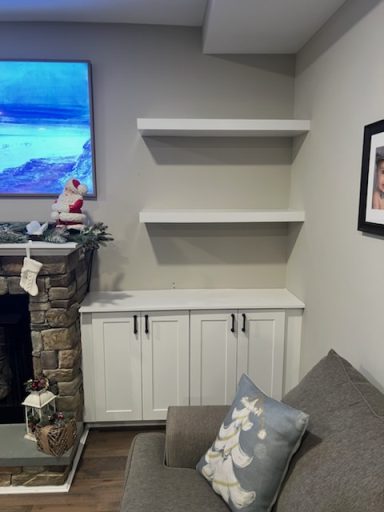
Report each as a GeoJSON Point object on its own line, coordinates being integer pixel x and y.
{"type": "Point", "coordinates": [340, 464]}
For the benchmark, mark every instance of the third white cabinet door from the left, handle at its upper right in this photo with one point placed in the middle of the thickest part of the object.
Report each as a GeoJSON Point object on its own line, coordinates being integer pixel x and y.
{"type": "Point", "coordinates": [213, 357]}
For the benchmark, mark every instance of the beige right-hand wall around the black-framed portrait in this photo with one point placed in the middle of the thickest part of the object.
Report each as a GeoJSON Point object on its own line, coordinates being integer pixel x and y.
{"type": "Point", "coordinates": [334, 268]}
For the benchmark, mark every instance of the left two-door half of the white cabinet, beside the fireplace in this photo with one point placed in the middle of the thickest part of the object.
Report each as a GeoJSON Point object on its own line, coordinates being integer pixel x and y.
{"type": "Point", "coordinates": [139, 364]}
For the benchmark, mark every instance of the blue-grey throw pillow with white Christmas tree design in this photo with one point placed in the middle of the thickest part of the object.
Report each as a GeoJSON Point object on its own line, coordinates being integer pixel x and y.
{"type": "Point", "coordinates": [248, 460]}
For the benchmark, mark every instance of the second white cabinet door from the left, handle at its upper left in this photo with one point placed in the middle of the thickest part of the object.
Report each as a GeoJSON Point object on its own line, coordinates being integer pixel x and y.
{"type": "Point", "coordinates": [165, 362]}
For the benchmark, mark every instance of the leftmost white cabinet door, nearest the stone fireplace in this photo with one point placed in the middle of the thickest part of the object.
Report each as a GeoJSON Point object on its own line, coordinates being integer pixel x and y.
{"type": "Point", "coordinates": [117, 365]}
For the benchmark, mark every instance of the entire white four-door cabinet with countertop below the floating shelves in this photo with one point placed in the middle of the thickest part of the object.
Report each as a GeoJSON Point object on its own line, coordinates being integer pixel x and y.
{"type": "Point", "coordinates": [144, 350]}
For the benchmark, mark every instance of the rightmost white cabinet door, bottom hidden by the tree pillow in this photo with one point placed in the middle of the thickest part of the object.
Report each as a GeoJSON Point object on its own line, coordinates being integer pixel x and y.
{"type": "Point", "coordinates": [261, 349]}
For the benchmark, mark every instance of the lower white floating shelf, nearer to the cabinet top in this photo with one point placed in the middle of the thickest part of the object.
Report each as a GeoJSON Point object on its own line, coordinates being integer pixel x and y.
{"type": "Point", "coordinates": [218, 216]}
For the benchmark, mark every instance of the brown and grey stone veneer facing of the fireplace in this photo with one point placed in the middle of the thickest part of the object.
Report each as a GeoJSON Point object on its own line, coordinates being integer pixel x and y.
{"type": "Point", "coordinates": [56, 342]}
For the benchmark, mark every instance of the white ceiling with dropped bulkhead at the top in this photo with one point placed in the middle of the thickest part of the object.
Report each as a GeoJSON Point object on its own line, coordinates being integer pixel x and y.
{"type": "Point", "coordinates": [229, 26]}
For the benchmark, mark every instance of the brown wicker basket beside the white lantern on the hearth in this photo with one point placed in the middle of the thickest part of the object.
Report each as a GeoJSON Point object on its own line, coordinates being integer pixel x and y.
{"type": "Point", "coordinates": [55, 440]}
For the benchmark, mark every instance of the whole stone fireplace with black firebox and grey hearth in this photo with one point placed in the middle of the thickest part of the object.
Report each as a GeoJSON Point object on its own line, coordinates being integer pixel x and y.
{"type": "Point", "coordinates": [52, 343]}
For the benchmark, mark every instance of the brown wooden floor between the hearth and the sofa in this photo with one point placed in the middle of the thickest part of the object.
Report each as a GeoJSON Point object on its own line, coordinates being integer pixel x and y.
{"type": "Point", "coordinates": [97, 486]}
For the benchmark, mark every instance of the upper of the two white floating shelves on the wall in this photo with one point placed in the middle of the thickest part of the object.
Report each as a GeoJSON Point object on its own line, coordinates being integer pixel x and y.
{"type": "Point", "coordinates": [223, 127]}
